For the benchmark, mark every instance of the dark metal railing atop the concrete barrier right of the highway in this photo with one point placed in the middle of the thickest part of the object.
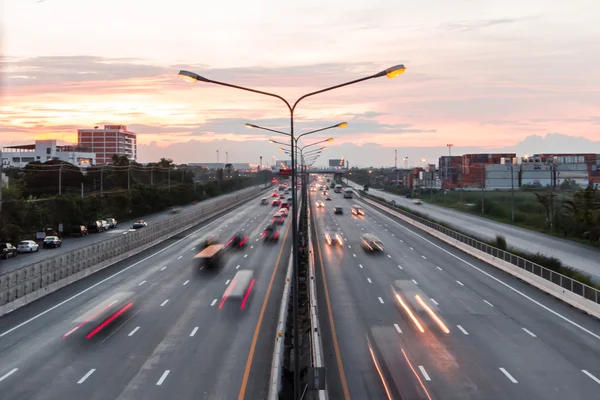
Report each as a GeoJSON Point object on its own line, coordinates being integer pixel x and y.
{"type": "Point", "coordinates": [581, 289]}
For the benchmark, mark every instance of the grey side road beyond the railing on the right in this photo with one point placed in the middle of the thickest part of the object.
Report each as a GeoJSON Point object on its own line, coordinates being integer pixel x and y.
{"type": "Point", "coordinates": [577, 255]}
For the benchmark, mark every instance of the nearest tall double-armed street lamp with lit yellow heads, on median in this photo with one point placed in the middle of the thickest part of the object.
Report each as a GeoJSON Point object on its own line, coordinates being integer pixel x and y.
{"type": "Point", "coordinates": [391, 72]}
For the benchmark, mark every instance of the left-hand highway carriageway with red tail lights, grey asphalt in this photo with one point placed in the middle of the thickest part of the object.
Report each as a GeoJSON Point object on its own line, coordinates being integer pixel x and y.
{"type": "Point", "coordinates": [180, 340]}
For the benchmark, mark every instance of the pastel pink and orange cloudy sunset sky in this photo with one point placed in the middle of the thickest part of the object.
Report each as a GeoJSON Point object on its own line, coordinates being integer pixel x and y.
{"type": "Point", "coordinates": [482, 75]}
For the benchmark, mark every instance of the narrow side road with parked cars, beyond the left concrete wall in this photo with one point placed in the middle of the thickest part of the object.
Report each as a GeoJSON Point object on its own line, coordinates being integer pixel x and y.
{"type": "Point", "coordinates": [74, 243]}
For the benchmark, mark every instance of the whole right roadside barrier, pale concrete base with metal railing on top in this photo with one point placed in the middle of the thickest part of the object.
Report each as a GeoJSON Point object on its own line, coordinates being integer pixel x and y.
{"type": "Point", "coordinates": [577, 294]}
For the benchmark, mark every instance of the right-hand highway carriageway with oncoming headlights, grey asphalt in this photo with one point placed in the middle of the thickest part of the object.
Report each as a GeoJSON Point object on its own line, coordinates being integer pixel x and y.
{"type": "Point", "coordinates": [494, 337]}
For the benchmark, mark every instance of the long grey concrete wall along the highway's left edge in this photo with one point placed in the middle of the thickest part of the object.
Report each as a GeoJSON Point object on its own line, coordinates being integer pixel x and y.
{"type": "Point", "coordinates": [24, 285]}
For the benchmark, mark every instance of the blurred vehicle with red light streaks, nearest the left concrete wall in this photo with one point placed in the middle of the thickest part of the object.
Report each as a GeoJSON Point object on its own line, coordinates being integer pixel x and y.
{"type": "Point", "coordinates": [102, 316]}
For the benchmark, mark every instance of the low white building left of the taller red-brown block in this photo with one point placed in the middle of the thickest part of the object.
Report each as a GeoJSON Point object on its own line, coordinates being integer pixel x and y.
{"type": "Point", "coordinates": [46, 150]}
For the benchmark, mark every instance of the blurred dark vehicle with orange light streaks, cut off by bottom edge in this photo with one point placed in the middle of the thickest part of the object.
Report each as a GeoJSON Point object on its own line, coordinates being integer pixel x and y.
{"type": "Point", "coordinates": [392, 363]}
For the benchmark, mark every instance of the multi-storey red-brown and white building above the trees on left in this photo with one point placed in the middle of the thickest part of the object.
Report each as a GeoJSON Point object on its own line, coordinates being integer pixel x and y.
{"type": "Point", "coordinates": [108, 141]}
